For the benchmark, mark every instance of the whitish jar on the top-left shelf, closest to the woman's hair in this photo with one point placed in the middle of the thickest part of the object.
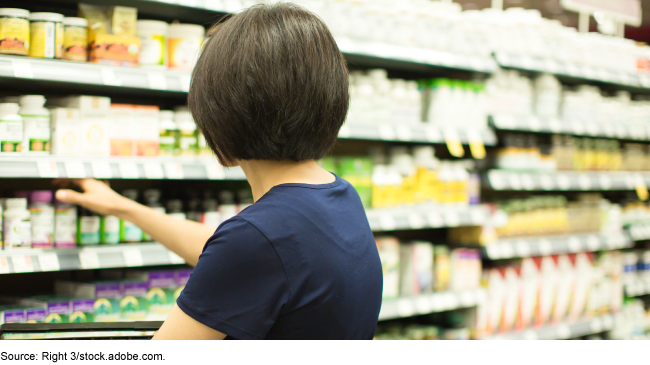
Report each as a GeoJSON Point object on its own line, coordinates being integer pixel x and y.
{"type": "Point", "coordinates": [184, 45]}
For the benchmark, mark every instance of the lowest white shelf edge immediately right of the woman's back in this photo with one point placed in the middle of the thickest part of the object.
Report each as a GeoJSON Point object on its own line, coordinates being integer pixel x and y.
{"type": "Point", "coordinates": [430, 303]}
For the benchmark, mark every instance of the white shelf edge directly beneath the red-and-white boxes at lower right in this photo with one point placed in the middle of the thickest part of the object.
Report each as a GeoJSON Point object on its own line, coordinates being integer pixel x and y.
{"type": "Point", "coordinates": [562, 331]}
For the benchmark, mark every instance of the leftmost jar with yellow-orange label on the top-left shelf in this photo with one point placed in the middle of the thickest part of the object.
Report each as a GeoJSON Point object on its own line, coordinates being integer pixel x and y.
{"type": "Point", "coordinates": [14, 31]}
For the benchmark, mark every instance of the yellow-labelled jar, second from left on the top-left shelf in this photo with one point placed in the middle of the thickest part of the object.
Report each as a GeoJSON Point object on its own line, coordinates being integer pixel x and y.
{"type": "Point", "coordinates": [46, 34]}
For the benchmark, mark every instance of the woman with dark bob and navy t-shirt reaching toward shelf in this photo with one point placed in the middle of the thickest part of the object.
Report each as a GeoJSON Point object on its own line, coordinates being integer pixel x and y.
{"type": "Point", "coordinates": [270, 93]}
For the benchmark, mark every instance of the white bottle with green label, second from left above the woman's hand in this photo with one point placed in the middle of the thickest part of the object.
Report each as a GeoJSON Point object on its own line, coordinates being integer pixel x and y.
{"type": "Point", "coordinates": [36, 120]}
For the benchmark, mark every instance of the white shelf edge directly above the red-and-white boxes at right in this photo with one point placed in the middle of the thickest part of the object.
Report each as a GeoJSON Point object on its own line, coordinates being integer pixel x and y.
{"type": "Point", "coordinates": [553, 245]}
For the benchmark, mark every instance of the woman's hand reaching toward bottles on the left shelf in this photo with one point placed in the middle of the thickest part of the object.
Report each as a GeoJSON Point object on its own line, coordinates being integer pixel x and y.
{"type": "Point", "coordinates": [97, 196]}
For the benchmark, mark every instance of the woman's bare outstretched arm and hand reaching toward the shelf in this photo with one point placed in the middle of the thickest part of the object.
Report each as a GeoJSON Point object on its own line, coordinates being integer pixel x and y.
{"type": "Point", "coordinates": [185, 238]}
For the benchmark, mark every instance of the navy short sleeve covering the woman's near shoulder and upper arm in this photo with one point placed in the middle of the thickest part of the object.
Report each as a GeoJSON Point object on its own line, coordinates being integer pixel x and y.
{"type": "Point", "coordinates": [238, 286]}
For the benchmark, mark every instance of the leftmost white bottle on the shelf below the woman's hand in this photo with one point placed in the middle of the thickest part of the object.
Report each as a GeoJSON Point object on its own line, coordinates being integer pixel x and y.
{"type": "Point", "coordinates": [17, 226]}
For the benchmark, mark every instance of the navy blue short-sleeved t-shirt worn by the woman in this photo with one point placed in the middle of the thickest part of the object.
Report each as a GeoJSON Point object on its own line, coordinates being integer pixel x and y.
{"type": "Point", "coordinates": [300, 263]}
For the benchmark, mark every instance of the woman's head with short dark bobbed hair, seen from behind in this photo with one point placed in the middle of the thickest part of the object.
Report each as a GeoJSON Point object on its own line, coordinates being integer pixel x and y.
{"type": "Point", "coordinates": [271, 84]}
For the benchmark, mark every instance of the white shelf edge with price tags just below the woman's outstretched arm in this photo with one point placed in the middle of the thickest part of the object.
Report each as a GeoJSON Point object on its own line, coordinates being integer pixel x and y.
{"type": "Point", "coordinates": [90, 257]}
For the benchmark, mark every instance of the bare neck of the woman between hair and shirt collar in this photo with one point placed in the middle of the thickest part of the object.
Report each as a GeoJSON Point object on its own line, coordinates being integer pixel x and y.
{"type": "Point", "coordinates": [263, 175]}
